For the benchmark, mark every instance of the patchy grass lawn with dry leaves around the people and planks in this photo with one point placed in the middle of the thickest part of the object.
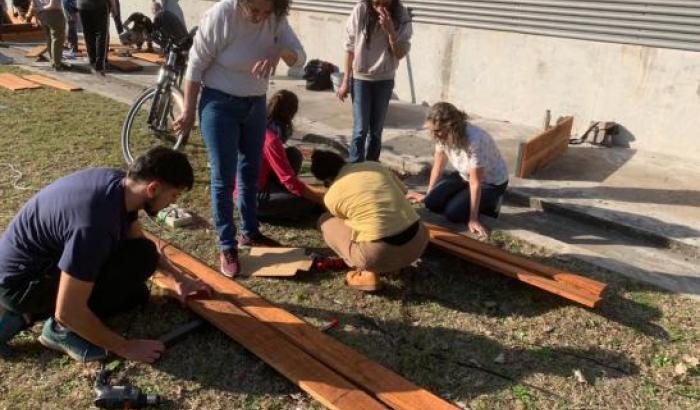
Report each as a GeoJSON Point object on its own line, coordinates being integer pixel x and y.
{"type": "Point", "coordinates": [471, 336]}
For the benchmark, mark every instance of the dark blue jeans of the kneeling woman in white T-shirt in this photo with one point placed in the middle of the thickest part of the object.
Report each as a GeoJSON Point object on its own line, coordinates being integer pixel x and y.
{"type": "Point", "coordinates": [450, 197]}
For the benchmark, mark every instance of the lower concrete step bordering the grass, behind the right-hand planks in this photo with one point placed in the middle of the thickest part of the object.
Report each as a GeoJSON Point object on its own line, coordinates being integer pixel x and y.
{"type": "Point", "coordinates": [630, 256]}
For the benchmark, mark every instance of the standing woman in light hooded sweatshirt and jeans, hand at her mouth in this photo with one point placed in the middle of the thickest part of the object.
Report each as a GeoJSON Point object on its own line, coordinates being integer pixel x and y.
{"type": "Point", "coordinates": [378, 36]}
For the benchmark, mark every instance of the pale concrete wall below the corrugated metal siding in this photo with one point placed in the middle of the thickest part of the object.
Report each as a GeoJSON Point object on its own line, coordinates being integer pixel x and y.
{"type": "Point", "coordinates": [654, 93]}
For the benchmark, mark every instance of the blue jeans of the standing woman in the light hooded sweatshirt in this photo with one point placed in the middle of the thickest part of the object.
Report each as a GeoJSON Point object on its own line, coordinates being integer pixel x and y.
{"type": "Point", "coordinates": [370, 100]}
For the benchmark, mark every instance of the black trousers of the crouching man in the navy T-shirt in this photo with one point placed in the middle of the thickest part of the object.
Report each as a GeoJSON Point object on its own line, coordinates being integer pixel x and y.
{"type": "Point", "coordinates": [119, 287]}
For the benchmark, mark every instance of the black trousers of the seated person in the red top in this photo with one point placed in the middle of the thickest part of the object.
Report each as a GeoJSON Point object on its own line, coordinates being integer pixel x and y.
{"type": "Point", "coordinates": [277, 203]}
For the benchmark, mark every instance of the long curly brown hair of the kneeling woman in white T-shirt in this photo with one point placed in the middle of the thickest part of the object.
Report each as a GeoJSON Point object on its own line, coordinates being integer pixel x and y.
{"type": "Point", "coordinates": [447, 125]}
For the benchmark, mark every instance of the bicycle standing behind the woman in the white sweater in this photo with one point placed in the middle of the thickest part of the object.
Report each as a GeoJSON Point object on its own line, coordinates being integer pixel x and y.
{"type": "Point", "coordinates": [149, 121]}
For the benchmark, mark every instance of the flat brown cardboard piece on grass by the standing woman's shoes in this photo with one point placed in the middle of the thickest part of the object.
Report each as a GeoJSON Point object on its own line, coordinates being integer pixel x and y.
{"type": "Point", "coordinates": [275, 262]}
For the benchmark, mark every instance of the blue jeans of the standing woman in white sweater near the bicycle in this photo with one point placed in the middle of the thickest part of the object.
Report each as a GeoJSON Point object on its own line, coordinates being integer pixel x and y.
{"type": "Point", "coordinates": [234, 131]}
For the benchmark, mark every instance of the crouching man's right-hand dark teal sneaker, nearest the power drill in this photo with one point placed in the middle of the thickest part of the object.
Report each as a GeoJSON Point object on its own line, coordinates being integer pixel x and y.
{"type": "Point", "coordinates": [56, 337]}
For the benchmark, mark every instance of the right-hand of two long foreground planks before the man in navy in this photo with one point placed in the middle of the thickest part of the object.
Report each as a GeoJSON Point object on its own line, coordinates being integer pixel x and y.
{"type": "Point", "coordinates": [390, 388]}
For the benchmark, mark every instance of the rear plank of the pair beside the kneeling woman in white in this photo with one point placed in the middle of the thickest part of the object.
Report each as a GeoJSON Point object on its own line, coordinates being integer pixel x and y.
{"type": "Point", "coordinates": [582, 282]}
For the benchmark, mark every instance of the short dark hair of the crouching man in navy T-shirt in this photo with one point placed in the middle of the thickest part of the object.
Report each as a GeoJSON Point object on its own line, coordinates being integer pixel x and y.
{"type": "Point", "coordinates": [165, 165]}
